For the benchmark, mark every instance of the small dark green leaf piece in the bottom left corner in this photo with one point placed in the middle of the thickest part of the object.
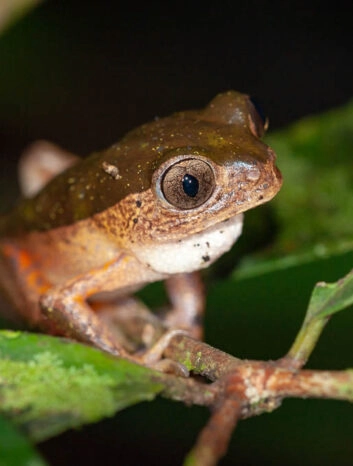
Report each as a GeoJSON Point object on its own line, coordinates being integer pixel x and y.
{"type": "Point", "coordinates": [15, 450]}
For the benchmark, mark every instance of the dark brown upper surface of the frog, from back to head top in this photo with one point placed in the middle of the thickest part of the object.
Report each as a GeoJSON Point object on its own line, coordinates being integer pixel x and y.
{"type": "Point", "coordinates": [224, 131]}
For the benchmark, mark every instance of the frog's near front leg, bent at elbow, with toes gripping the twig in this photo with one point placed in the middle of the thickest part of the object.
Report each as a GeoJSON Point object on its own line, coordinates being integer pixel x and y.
{"type": "Point", "coordinates": [67, 307]}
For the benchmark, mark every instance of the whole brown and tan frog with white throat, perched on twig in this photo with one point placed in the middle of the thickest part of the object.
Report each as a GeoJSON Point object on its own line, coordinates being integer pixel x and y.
{"type": "Point", "coordinates": [162, 204]}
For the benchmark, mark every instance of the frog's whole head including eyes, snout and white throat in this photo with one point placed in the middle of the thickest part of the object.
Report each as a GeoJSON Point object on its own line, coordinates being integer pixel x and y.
{"type": "Point", "coordinates": [211, 166]}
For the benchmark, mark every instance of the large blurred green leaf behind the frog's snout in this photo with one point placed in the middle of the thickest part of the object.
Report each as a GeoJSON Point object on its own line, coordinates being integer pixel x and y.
{"type": "Point", "coordinates": [313, 210]}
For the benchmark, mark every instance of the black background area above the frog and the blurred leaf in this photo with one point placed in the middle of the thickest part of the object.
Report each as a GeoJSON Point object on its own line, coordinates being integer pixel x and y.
{"type": "Point", "coordinates": [82, 74]}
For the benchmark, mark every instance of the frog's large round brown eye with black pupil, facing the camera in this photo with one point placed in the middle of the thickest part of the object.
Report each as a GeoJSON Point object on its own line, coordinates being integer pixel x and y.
{"type": "Point", "coordinates": [188, 183]}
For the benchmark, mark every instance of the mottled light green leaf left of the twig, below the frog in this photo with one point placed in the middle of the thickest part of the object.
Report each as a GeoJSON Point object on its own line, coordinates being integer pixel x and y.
{"type": "Point", "coordinates": [48, 385]}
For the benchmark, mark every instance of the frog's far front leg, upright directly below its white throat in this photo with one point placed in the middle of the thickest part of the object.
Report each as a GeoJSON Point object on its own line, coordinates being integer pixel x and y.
{"type": "Point", "coordinates": [187, 296]}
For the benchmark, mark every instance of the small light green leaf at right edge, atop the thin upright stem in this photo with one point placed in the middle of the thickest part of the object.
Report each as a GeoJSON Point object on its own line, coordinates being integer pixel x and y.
{"type": "Point", "coordinates": [329, 298]}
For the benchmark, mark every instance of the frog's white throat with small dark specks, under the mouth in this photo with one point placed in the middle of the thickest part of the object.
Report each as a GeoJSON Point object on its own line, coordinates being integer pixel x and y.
{"type": "Point", "coordinates": [194, 252]}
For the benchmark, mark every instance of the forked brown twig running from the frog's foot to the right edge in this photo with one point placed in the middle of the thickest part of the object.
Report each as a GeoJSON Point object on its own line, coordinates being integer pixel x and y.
{"type": "Point", "coordinates": [243, 389]}
